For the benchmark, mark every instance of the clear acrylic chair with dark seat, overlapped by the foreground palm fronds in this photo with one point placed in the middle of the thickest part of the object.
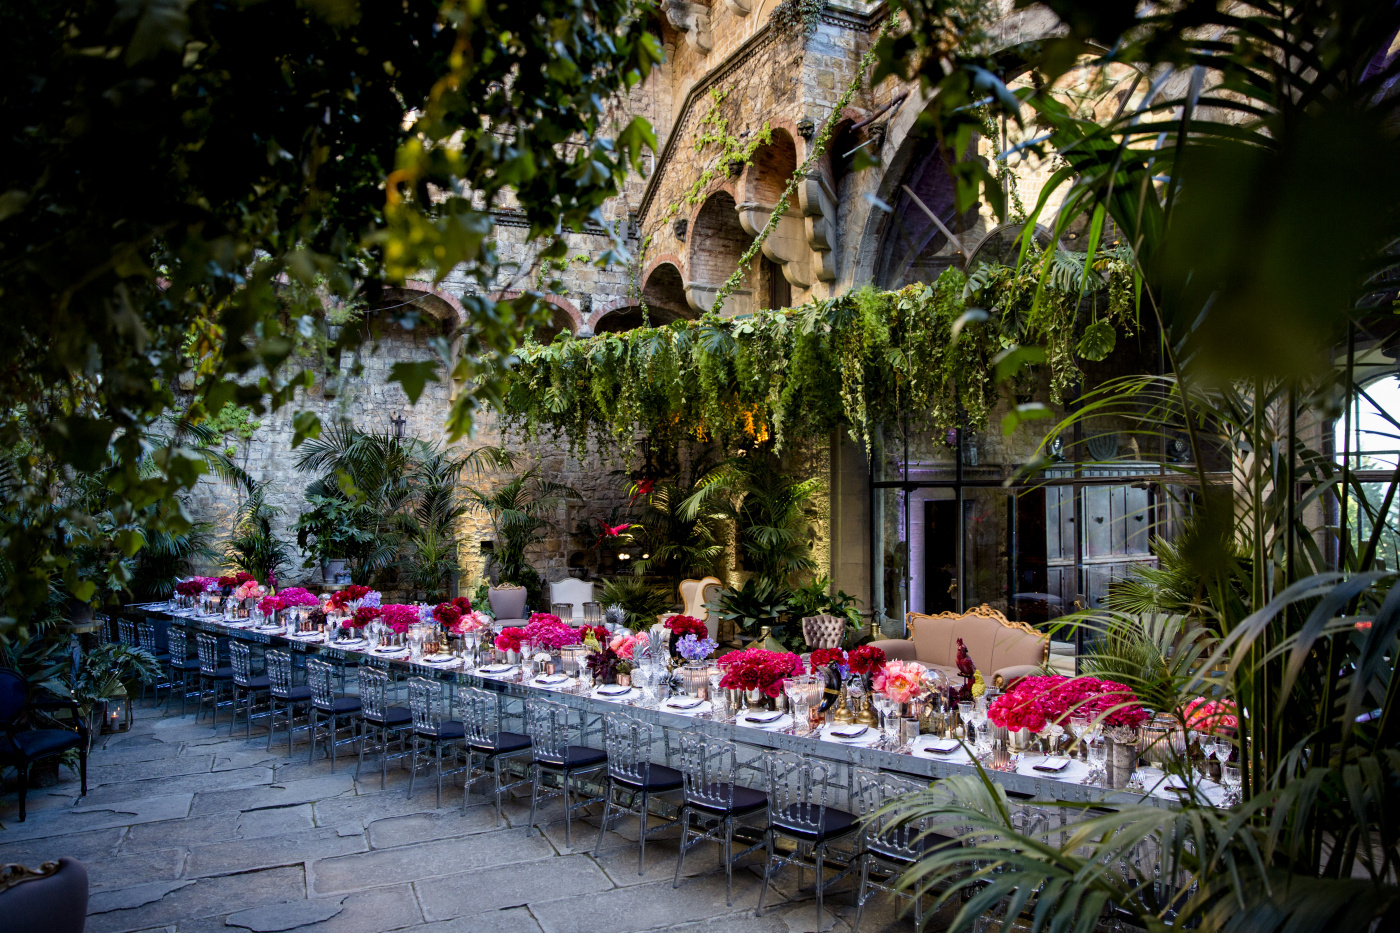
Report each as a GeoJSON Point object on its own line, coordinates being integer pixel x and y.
{"type": "Point", "coordinates": [891, 844]}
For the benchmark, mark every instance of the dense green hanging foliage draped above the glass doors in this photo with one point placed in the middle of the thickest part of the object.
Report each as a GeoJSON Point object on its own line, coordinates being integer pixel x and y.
{"type": "Point", "coordinates": [860, 361]}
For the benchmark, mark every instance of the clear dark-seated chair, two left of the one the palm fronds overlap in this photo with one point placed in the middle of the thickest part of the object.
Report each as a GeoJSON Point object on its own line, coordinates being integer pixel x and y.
{"type": "Point", "coordinates": [709, 768]}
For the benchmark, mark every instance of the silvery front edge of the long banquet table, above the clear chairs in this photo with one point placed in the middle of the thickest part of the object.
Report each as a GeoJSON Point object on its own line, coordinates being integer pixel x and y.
{"type": "Point", "coordinates": [1027, 787]}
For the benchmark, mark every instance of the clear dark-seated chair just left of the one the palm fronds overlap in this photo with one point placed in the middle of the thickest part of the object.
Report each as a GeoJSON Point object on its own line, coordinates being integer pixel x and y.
{"type": "Point", "coordinates": [801, 799]}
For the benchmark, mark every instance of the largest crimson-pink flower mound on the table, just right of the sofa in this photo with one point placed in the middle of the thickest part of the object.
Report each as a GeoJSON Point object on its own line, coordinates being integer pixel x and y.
{"type": "Point", "coordinates": [1039, 701]}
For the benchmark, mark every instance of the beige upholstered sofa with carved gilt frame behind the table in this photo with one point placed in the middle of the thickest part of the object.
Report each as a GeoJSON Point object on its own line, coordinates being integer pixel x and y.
{"type": "Point", "coordinates": [1002, 649]}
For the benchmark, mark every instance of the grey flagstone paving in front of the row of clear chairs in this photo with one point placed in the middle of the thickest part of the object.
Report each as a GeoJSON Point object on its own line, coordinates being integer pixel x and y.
{"type": "Point", "coordinates": [185, 830]}
